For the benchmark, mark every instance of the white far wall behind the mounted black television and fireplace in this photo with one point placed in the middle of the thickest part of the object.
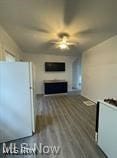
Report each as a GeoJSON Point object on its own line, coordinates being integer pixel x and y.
{"type": "Point", "coordinates": [41, 75]}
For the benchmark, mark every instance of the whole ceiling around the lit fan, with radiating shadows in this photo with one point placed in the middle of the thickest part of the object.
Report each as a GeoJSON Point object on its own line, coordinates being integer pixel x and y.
{"type": "Point", "coordinates": [34, 23]}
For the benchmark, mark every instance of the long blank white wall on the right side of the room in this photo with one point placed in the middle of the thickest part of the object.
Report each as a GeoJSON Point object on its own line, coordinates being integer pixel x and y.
{"type": "Point", "coordinates": [100, 70]}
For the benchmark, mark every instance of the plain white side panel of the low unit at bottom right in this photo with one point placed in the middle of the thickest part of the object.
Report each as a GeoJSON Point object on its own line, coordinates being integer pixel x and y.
{"type": "Point", "coordinates": [107, 132]}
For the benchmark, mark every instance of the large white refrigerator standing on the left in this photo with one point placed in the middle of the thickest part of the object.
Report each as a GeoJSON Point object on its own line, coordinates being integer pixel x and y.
{"type": "Point", "coordinates": [17, 98]}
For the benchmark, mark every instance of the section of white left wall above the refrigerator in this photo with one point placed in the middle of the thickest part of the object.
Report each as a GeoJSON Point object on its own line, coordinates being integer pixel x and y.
{"type": "Point", "coordinates": [7, 43]}
